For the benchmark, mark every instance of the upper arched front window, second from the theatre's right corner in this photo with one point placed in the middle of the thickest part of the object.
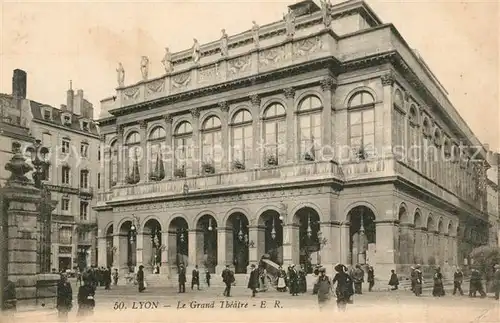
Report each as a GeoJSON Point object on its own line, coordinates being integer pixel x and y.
{"type": "Point", "coordinates": [309, 122]}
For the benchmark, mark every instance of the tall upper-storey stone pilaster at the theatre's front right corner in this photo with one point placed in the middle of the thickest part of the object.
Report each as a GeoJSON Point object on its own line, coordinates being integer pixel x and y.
{"type": "Point", "coordinates": [383, 120]}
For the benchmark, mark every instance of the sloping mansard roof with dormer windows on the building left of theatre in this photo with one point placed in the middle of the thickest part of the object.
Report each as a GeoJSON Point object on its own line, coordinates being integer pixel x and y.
{"type": "Point", "coordinates": [36, 111]}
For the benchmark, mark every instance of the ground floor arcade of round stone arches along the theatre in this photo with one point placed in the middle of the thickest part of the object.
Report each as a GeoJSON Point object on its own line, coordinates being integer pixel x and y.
{"type": "Point", "coordinates": [300, 226]}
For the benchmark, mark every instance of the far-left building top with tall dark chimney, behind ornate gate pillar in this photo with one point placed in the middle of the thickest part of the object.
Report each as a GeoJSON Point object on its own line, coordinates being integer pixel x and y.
{"type": "Point", "coordinates": [13, 128]}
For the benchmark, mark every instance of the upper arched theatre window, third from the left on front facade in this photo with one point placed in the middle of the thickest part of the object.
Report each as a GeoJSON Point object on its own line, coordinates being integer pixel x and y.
{"type": "Point", "coordinates": [156, 140]}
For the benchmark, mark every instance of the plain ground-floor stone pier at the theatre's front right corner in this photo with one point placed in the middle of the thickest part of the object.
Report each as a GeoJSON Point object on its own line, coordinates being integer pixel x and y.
{"type": "Point", "coordinates": [385, 237]}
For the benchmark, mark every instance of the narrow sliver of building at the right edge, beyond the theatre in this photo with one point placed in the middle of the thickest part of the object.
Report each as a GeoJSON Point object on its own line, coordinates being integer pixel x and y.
{"type": "Point", "coordinates": [493, 199]}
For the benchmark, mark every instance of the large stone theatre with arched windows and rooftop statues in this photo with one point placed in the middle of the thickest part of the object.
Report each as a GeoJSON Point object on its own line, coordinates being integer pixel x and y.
{"type": "Point", "coordinates": [238, 143]}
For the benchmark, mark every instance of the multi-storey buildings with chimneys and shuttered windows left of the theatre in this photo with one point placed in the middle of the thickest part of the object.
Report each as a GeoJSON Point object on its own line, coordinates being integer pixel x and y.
{"type": "Point", "coordinates": [72, 138]}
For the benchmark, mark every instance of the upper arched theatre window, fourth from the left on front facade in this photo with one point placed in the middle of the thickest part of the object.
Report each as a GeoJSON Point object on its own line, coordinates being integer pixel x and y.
{"type": "Point", "coordinates": [183, 144]}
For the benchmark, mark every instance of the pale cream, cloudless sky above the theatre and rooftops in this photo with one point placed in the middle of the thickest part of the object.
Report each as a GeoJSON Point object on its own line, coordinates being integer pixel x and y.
{"type": "Point", "coordinates": [58, 41]}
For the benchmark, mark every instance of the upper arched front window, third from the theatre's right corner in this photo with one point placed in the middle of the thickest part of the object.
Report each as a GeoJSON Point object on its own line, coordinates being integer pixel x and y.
{"type": "Point", "coordinates": [275, 134]}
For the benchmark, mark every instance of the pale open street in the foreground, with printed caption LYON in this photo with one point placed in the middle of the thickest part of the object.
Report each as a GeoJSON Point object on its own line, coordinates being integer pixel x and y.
{"type": "Point", "coordinates": [125, 304]}
